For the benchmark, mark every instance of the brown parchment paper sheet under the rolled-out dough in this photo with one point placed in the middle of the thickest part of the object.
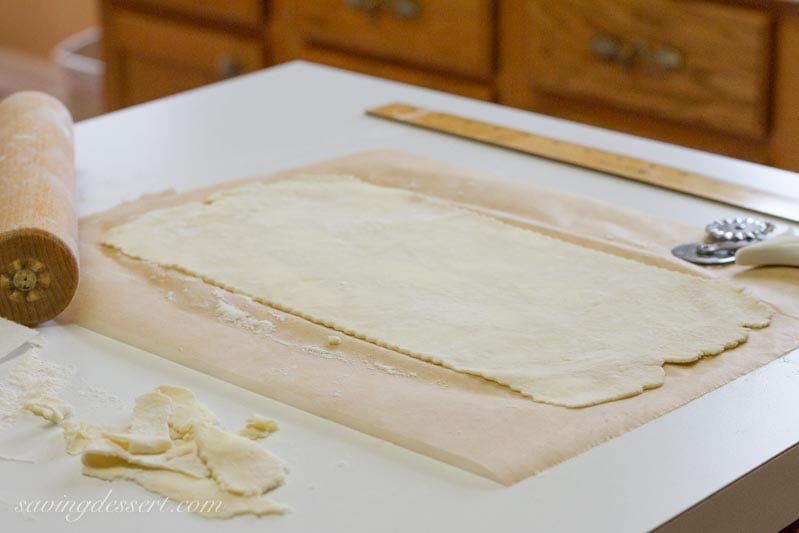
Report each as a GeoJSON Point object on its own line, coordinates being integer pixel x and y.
{"type": "Point", "coordinates": [460, 419]}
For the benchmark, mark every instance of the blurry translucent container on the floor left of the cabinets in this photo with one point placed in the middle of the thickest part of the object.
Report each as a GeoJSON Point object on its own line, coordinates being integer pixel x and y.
{"type": "Point", "coordinates": [80, 59]}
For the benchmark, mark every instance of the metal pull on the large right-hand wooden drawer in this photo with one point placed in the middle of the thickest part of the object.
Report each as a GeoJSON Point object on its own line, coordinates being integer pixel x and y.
{"type": "Point", "coordinates": [627, 53]}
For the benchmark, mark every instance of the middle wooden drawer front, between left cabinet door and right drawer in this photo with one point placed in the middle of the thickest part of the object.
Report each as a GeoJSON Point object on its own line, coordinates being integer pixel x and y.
{"type": "Point", "coordinates": [455, 36]}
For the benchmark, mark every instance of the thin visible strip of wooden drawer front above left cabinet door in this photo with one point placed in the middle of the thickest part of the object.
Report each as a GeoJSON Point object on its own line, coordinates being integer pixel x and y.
{"type": "Point", "coordinates": [242, 12]}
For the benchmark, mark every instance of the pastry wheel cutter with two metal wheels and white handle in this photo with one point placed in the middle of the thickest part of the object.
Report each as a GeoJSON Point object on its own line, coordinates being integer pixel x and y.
{"type": "Point", "coordinates": [743, 241]}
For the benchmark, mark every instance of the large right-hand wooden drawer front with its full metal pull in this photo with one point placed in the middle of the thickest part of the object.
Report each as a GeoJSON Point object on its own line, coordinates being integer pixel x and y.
{"type": "Point", "coordinates": [694, 62]}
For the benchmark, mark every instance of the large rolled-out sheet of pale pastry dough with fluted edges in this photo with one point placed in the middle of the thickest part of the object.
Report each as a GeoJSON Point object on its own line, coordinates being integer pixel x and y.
{"type": "Point", "coordinates": [555, 321]}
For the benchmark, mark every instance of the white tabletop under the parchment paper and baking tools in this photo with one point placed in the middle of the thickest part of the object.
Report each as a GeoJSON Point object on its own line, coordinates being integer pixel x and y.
{"type": "Point", "coordinates": [343, 480]}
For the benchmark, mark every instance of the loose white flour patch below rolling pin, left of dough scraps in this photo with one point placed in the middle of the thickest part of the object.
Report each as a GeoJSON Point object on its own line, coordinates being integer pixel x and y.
{"type": "Point", "coordinates": [31, 377]}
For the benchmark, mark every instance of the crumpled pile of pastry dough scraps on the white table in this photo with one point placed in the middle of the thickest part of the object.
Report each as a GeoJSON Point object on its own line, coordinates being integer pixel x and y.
{"type": "Point", "coordinates": [173, 447]}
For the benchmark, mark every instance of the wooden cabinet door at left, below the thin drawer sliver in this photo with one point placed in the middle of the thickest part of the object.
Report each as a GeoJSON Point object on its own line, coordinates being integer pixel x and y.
{"type": "Point", "coordinates": [149, 57]}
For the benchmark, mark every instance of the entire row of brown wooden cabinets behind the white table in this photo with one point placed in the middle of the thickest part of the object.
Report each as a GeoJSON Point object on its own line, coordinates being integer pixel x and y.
{"type": "Point", "coordinates": [717, 75]}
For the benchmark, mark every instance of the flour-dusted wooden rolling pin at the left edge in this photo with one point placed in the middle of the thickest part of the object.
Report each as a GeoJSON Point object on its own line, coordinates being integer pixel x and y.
{"type": "Point", "coordinates": [38, 223]}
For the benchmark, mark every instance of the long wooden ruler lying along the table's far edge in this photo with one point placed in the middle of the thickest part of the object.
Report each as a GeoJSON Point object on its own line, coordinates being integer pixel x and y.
{"type": "Point", "coordinates": [785, 206]}
